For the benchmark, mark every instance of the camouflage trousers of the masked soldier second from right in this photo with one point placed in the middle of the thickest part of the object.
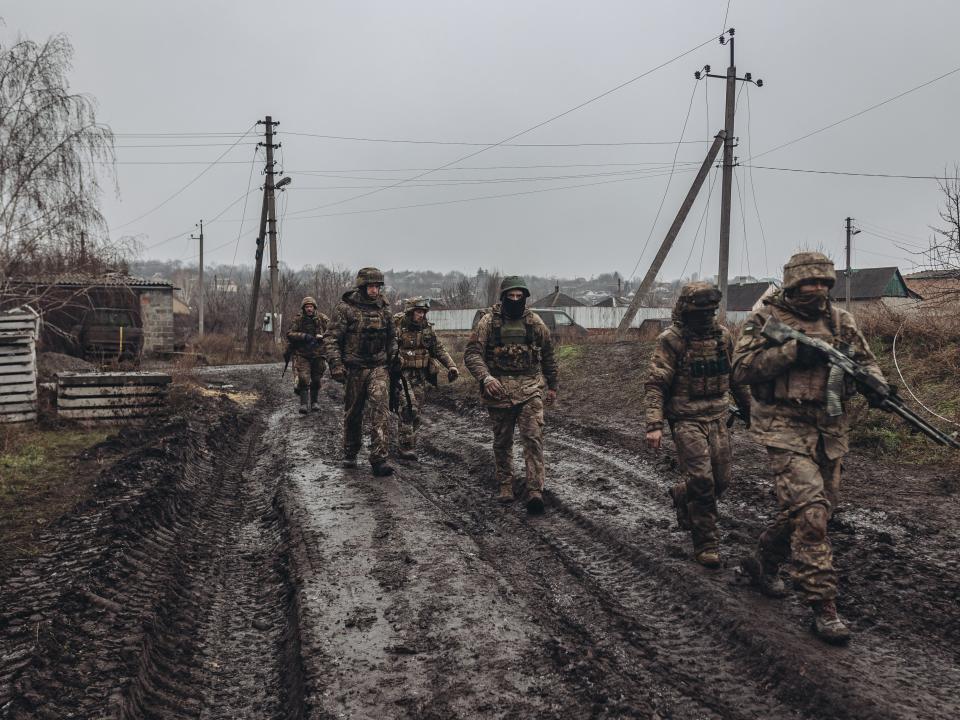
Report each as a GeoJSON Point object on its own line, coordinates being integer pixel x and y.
{"type": "Point", "coordinates": [703, 449]}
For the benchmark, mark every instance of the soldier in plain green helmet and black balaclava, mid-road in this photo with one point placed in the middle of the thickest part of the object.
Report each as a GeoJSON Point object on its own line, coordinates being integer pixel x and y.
{"type": "Point", "coordinates": [510, 353]}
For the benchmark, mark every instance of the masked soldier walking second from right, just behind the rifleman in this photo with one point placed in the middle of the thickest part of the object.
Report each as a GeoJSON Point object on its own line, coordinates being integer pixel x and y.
{"type": "Point", "coordinates": [687, 386]}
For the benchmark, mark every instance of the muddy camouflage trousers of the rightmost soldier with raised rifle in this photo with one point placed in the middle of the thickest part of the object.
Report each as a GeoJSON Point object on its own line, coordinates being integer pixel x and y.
{"type": "Point", "coordinates": [804, 485]}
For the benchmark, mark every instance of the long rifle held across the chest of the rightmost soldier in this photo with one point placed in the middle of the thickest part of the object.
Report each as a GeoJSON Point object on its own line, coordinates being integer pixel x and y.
{"type": "Point", "coordinates": [880, 394]}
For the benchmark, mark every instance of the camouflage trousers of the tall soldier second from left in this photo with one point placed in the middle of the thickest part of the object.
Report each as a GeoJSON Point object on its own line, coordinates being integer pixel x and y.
{"type": "Point", "coordinates": [366, 388]}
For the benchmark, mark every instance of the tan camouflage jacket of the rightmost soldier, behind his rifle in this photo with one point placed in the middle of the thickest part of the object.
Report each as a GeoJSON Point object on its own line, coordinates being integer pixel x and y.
{"type": "Point", "coordinates": [789, 401]}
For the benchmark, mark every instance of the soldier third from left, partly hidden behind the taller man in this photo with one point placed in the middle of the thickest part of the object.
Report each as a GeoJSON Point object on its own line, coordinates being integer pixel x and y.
{"type": "Point", "coordinates": [419, 353]}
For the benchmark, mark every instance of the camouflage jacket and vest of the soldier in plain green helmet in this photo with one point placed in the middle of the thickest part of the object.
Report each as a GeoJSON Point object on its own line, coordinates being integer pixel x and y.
{"type": "Point", "coordinates": [518, 353]}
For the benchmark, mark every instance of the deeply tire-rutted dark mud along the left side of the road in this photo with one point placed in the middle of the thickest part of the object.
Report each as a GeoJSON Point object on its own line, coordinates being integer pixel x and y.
{"type": "Point", "coordinates": [167, 599]}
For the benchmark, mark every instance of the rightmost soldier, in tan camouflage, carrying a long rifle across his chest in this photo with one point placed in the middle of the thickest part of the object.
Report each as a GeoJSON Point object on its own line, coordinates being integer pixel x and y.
{"type": "Point", "coordinates": [805, 443]}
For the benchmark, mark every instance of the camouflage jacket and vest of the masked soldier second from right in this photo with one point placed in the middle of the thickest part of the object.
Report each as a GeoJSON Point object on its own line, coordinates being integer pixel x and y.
{"type": "Point", "coordinates": [690, 377]}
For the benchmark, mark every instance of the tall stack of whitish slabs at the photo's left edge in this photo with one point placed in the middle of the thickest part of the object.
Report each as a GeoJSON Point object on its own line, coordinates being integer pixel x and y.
{"type": "Point", "coordinates": [18, 365]}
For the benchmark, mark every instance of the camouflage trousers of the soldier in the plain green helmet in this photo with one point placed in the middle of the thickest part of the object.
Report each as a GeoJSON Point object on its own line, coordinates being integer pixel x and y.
{"type": "Point", "coordinates": [528, 416]}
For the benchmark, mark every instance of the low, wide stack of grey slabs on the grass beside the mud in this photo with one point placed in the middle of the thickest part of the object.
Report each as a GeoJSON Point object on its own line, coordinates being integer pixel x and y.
{"type": "Point", "coordinates": [94, 398]}
